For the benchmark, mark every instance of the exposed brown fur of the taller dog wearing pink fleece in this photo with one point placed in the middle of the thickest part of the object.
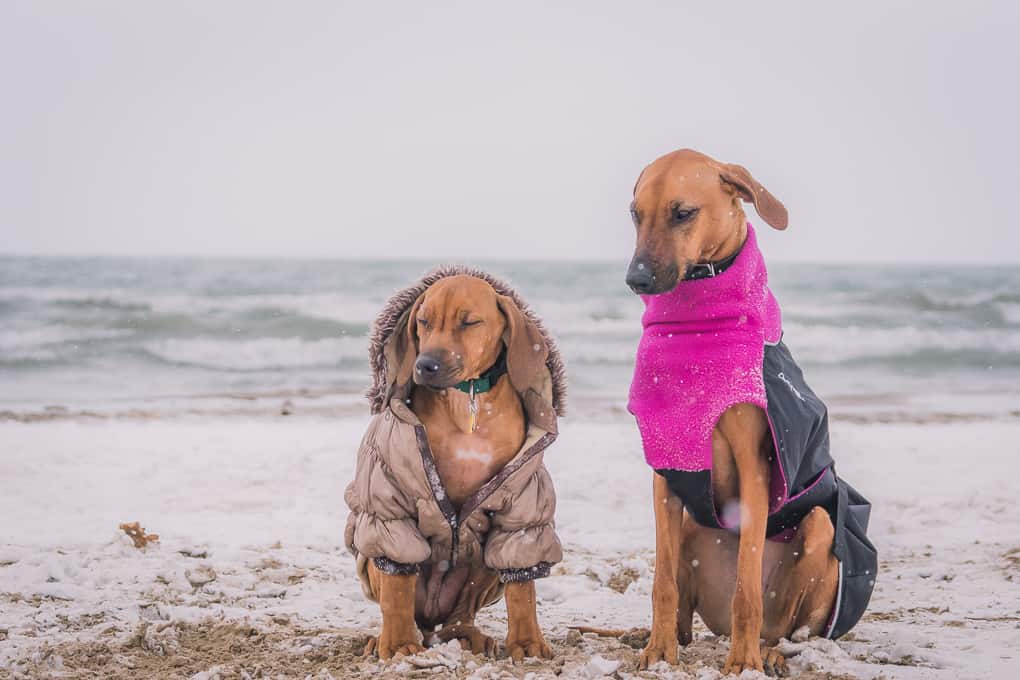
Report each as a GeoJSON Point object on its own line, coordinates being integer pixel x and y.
{"type": "Point", "coordinates": [742, 586]}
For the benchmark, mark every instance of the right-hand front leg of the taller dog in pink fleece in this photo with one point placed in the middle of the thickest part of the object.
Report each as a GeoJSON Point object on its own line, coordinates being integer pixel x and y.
{"type": "Point", "coordinates": [745, 650]}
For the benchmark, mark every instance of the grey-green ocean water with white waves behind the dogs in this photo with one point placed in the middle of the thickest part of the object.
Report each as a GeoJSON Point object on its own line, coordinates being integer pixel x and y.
{"type": "Point", "coordinates": [120, 334]}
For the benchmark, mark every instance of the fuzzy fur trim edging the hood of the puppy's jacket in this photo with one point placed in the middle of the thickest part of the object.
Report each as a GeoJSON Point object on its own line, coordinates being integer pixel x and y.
{"type": "Point", "coordinates": [394, 317]}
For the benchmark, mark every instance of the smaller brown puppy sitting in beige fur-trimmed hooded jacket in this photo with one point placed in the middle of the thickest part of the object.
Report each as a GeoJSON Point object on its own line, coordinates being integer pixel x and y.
{"type": "Point", "coordinates": [456, 551]}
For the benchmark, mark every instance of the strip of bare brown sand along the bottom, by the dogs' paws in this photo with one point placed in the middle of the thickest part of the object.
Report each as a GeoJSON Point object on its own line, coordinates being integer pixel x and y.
{"type": "Point", "coordinates": [214, 650]}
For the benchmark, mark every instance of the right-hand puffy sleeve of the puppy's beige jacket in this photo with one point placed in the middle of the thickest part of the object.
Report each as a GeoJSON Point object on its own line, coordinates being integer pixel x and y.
{"type": "Point", "coordinates": [523, 544]}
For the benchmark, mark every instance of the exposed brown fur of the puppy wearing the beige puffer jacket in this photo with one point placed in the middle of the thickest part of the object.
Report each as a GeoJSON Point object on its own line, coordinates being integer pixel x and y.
{"type": "Point", "coordinates": [466, 325]}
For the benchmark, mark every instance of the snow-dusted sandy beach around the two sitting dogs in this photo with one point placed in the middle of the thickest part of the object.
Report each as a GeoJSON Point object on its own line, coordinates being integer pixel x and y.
{"type": "Point", "coordinates": [259, 505]}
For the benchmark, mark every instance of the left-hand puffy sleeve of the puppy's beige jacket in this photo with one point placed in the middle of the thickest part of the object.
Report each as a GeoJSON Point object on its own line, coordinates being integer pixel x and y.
{"type": "Point", "coordinates": [383, 524]}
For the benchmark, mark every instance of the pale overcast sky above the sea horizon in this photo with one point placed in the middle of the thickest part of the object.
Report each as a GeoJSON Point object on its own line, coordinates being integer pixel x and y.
{"type": "Point", "coordinates": [449, 131]}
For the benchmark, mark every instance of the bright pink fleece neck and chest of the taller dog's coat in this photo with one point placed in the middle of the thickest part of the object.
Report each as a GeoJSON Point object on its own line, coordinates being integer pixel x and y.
{"type": "Point", "coordinates": [701, 353]}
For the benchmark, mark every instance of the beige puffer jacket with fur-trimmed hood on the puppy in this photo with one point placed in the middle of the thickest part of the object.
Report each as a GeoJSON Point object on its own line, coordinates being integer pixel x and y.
{"type": "Point", "coordinates": [400, 514]}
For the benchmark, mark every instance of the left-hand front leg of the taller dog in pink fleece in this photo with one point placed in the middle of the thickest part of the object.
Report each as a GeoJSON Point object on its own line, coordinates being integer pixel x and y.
{"type": "Point", "coordinates": [666, 587]}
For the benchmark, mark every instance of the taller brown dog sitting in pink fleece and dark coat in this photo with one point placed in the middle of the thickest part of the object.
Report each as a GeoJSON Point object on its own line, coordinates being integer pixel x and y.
{"type": "Point", "coordinates": [738, 441]}
